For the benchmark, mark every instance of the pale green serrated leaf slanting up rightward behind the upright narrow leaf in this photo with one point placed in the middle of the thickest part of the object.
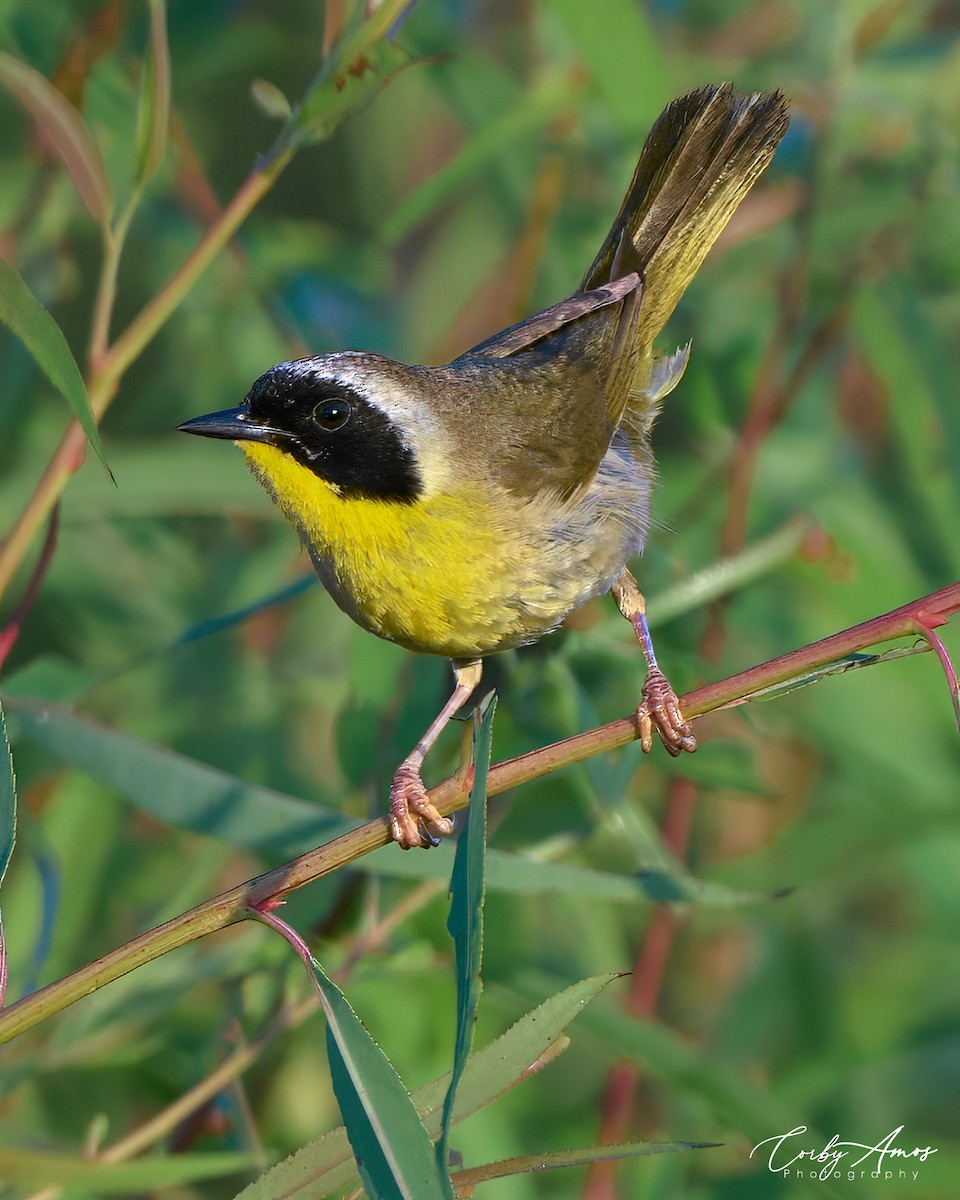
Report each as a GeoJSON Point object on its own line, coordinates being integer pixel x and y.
{"type": "Point", "coordinates": [326, 1167]}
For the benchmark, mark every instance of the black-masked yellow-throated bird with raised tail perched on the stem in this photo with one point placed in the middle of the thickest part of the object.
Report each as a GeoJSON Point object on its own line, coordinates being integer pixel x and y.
{"type": "Point", "coordinates": [467, 509]}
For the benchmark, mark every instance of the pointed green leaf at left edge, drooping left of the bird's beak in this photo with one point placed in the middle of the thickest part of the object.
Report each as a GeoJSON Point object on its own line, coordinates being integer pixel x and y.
{"type": "Point", "coordinates": [44, 339]}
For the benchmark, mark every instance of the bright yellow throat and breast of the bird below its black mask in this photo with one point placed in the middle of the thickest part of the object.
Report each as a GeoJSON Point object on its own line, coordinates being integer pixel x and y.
{"type": "Point", "coordinates": [436, 575]}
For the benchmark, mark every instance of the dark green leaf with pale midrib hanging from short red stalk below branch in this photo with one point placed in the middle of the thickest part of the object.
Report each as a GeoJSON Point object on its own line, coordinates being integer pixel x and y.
{"type": "Point", "coordinates": [389, 1142]}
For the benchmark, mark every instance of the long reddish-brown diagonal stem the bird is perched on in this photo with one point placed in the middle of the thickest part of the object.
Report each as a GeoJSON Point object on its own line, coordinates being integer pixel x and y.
{"type": "Point", "coordinates": [453, 795]}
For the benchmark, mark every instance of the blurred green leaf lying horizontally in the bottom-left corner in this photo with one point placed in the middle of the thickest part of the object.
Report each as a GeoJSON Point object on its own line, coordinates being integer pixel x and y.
{"type": "Point", "coordinates": [41, 1169]}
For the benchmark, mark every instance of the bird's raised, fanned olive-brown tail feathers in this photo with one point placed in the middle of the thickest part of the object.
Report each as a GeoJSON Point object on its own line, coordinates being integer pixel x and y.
{"type": "Point", "coordinates": [700, 160]}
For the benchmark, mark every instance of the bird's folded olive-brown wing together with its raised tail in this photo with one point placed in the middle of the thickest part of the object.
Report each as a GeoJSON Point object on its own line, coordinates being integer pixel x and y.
{"type": "Point", "coordinates": [553, 392]}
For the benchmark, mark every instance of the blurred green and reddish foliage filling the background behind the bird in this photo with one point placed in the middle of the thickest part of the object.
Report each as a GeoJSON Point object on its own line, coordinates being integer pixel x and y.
{"type": "Point", "coordinates": [814, 446]}
